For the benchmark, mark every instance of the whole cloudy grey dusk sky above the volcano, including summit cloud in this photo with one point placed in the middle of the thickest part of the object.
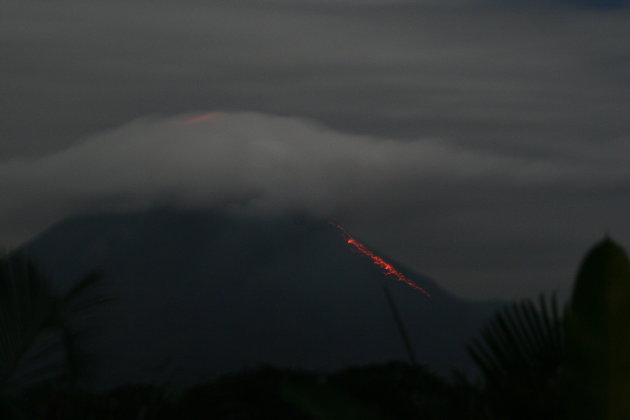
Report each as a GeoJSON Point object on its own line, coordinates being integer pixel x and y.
{"type": "Point", "coordinates": [485, 144]}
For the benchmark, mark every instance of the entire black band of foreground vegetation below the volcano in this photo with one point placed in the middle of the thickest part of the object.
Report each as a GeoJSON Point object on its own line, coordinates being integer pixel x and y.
{"type": "Point", "coordinates": [534, 360]}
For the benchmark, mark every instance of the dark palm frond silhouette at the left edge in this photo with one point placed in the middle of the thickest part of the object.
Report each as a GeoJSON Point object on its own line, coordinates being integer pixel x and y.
{"type": "Point", "coordinates": [39, 335]}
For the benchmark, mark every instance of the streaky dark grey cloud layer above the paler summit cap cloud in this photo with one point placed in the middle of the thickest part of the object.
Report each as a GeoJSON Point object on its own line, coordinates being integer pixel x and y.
{"type": "Point", "coordinates": [484, 76]}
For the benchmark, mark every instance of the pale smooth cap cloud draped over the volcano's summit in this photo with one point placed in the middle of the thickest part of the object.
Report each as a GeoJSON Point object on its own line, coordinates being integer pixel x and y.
{"type": "Point", "coordinates": [259, 163]}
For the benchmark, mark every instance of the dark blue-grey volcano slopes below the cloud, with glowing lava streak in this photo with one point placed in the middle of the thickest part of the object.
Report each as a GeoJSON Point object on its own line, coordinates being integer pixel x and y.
{"type": "Point", "coordinates": [202, 293]}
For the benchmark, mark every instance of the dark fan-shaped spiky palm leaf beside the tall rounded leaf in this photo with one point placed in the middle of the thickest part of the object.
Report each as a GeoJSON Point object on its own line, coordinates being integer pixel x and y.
{"type": "Point", "coordinates": [519, 354]}
